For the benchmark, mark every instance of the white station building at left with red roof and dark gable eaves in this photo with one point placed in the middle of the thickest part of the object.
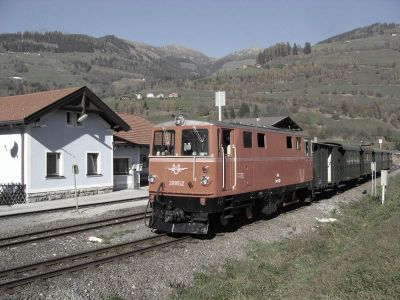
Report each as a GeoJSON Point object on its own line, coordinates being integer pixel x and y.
{"type": "Point", "coordinates": [43, 135]}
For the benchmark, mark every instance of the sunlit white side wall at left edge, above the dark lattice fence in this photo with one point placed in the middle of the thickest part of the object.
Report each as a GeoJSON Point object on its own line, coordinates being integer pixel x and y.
{"type": "Point", "coordinates": [10, 156]}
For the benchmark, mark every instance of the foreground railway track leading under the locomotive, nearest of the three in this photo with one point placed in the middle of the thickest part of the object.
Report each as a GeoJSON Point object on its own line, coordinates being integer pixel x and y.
{"type": "Point", "coordinates": [22, 275]}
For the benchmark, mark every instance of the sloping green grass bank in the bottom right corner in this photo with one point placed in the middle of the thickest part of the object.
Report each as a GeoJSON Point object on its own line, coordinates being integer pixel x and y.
{"type": "Point", "coordinates": [354, 258]}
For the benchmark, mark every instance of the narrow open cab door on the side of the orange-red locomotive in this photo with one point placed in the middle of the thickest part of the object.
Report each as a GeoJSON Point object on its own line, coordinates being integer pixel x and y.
{"type": "Point", "coordinates": [227, 154]}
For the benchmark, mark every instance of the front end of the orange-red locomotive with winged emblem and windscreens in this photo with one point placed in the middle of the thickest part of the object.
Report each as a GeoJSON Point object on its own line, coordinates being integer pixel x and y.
{"type": "Point", "coordinates": [184, 174]}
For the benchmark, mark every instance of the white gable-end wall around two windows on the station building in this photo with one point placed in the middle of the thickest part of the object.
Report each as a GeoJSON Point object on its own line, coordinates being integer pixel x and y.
{"type": "Point", "coordinates": [73, 143]}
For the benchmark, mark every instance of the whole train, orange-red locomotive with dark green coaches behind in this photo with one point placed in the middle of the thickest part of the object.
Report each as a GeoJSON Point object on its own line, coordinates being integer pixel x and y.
{"type": "Point", "coordinates": [201, 172]}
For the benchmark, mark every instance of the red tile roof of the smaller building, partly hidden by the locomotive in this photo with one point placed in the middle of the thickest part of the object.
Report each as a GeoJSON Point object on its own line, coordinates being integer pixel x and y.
{"type": "Point", "coordinates": [140, 132]}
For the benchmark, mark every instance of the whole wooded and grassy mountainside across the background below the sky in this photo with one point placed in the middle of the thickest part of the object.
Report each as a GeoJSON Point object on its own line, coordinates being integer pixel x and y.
{"type": "Point", "coordinates": [345, 87]}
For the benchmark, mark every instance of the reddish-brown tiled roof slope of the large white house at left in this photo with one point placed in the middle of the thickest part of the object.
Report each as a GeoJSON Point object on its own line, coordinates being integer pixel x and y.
{"type": "Point", "coordinates": [17, 108]}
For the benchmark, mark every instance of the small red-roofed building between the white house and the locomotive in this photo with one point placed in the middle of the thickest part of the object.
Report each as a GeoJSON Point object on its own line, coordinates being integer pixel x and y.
{"type": "Point", "coordinates": [131, 149]}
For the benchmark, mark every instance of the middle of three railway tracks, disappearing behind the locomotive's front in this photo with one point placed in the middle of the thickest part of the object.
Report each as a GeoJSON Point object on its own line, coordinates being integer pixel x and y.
{"type": "Point", "coordinates": [66, 230]}
